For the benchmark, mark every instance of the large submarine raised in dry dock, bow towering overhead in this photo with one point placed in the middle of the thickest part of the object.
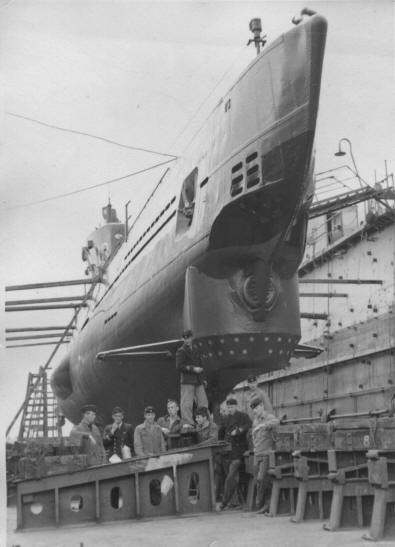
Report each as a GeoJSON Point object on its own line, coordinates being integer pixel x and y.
{"type": "Point", "coordinates": [215, 249]}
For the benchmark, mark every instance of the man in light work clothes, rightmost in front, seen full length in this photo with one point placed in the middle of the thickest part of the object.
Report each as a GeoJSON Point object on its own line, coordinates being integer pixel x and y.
{"type": "Point", "coordinates": [263, 441]}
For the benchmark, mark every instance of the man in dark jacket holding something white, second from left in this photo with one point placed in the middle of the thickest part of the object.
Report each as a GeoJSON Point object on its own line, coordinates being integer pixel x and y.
{"type": "Point", "coordinates": [118, 436]}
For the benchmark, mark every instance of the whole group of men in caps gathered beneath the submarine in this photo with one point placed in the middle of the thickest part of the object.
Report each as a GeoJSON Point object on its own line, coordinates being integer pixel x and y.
{"type": "Point", "coordinates": [243, 431]}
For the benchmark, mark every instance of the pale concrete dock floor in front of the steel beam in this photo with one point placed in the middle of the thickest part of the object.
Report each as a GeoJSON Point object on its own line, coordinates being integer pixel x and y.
{"type": "Point", "coordinates": [227, 529]}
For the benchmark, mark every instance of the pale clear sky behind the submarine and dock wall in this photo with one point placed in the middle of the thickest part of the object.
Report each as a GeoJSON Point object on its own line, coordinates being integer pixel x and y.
{"type": "Point", "coordinates": [146, 74]}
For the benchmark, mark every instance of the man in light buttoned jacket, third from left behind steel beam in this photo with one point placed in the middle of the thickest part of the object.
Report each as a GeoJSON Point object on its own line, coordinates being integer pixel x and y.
{"type": "Point", "coordinates": [148, 436]}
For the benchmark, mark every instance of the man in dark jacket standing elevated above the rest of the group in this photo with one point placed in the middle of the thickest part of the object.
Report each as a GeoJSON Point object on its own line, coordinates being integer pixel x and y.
{"type": "Point", "coordinates": [188, 362]}
